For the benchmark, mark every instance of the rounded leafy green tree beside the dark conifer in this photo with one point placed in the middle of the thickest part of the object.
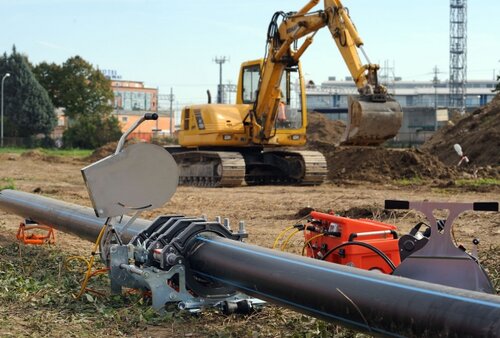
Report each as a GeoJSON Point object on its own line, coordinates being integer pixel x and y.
{"type": "Point", "coordinates": [86, 95]}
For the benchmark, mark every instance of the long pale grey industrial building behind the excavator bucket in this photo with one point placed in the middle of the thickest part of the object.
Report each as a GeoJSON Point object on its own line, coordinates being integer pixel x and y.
{"type": "Point", "coordinates": [425, 103]}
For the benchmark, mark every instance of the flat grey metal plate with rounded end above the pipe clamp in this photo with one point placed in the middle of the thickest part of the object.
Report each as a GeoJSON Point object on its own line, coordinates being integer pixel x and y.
{"type": "Point", "coordinates": [143, 176]}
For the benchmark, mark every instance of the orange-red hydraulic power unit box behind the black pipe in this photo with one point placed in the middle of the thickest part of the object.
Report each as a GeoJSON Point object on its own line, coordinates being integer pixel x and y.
{"type": "Point", "coordinates": [360, 243]}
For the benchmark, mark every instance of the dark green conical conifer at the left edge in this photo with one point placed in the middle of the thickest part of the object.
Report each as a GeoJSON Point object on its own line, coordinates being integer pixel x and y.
{"type": "Point", "coordinates": [28, 110]}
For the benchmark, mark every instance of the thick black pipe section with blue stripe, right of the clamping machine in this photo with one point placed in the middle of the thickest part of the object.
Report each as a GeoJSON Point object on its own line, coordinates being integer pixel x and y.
{"type": "Point", "coordinates": [364, 300]}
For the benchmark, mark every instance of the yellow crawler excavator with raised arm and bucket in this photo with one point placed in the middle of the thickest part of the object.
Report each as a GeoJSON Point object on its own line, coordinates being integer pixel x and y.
{"type": "Point", "coordinates": [252, 140]}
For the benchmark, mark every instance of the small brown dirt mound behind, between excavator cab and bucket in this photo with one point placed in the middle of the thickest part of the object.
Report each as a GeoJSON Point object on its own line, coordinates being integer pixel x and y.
{"type": "Point", "coordinates": [323, 130]}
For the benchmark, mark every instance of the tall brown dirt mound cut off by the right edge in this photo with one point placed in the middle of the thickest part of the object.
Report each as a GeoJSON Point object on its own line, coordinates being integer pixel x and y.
{"type": "Point", "coordinates": [477, 133]}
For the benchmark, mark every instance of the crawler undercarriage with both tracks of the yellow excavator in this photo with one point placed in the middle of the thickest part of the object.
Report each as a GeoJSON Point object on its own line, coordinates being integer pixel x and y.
{"type": "Point", "coordinates": [212, 168]}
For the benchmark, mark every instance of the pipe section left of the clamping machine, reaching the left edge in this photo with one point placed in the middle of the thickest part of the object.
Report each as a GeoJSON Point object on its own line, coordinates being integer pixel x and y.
{"type": "Point", "coordinates": [78, 220]}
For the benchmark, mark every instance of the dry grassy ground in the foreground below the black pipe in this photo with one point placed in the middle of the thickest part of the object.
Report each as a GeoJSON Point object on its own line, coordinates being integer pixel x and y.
{"type": "Point", "coordinates": [36, 288]}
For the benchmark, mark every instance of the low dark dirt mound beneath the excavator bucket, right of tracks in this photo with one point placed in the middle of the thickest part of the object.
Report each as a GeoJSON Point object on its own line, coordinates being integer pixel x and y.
{"type": "Point", "coordinates": [380, 164]}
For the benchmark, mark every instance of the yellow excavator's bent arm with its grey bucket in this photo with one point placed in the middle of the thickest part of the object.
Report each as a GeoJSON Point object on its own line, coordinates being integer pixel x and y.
{"type": "Point", "coordinates": [373, 116]}
